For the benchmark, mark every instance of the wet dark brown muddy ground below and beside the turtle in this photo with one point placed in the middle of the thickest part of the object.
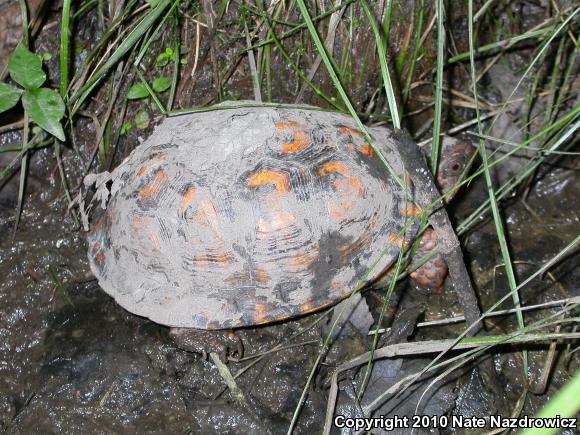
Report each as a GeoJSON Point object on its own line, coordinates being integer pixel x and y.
{"type": "Point", "coordinates": [72, 361]}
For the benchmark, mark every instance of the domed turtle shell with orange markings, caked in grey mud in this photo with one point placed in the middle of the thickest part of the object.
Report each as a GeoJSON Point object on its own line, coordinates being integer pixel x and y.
{"type": "Point", "coordinates": [248, 215]}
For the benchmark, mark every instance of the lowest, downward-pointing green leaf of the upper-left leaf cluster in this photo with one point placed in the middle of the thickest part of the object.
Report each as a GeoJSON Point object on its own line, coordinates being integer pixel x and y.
{"type": "Point", "coordinates": [45, 108]}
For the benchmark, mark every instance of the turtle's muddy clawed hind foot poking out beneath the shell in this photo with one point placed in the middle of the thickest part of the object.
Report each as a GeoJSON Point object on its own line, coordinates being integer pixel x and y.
{"type": "Point", "coordinates": [224, 343]}
